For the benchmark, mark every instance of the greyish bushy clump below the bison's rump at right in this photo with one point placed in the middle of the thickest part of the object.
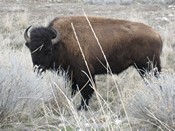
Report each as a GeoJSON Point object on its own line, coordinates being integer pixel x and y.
{"type": "Point", "coordinates": [153, 104]}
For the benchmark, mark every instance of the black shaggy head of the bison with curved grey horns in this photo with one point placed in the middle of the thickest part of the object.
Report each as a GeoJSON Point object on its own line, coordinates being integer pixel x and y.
{"type": "Point", "coordinates": [40, 43]}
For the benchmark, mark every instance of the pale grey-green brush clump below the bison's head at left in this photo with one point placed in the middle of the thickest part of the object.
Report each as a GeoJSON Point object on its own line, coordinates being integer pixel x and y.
{"type": "Point", "coordinates": [22, 92]}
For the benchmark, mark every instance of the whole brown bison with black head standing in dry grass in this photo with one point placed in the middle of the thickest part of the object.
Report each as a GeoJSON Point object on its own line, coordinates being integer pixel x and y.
{"type": "Point", "coordinates": [123, 42]}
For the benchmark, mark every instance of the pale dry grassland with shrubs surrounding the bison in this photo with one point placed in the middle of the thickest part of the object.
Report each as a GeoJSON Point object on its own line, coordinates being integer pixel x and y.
{"type": "Point", "coordinates": [31, 102]}
